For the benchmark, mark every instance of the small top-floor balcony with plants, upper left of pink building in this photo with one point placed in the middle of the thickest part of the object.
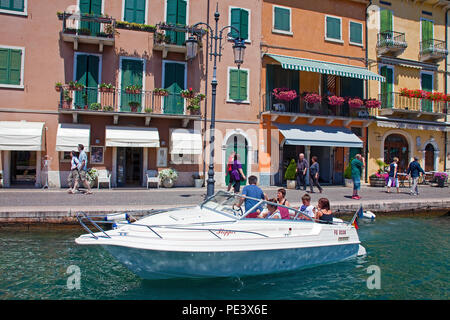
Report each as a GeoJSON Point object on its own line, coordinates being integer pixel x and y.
{"type": "Point", "coordinates": [88, 29]}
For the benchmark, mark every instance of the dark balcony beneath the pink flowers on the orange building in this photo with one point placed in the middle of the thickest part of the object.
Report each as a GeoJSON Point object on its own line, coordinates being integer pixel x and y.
{"type": "Point", "coordinates": [299, 107]}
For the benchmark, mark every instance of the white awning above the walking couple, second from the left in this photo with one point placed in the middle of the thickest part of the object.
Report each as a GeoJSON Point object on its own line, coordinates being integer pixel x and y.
{"type": "Point", "coordinates": [70, 135]}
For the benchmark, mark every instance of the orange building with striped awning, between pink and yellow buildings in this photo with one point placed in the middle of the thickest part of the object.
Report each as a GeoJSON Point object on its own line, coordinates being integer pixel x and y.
{"type": "Point", "coordinates": [317, 51]}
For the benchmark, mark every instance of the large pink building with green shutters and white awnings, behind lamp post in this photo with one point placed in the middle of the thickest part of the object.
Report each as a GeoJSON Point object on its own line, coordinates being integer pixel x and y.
{"type": "Point", "coordinates": [93, 72]}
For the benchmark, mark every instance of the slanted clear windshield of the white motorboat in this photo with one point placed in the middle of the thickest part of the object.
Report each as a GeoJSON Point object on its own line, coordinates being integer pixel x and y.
{"type": "Point", "coordinates": [224, 202]}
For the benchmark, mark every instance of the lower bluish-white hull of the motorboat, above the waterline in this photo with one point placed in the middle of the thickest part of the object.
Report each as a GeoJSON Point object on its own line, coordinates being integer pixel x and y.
{"type": "Point", "coordinates": [156, 264]}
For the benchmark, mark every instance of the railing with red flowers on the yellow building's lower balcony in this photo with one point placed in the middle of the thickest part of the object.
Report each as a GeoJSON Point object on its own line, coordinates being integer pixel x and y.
{"type": "Point", "coordinates": [395, 101]}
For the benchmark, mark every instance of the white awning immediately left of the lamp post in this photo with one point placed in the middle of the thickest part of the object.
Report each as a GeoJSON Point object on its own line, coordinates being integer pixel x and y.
{"type": "Point", "coordinates": [185, 141]}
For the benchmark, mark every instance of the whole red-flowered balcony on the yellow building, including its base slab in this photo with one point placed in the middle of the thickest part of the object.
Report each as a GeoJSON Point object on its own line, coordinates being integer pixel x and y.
{"type": "Point", "coordinates": [394, 103]}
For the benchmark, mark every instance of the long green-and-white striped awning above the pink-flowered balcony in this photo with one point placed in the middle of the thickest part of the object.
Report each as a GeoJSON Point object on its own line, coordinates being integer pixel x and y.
{"type": "Point", "coordinates": [301, 64]}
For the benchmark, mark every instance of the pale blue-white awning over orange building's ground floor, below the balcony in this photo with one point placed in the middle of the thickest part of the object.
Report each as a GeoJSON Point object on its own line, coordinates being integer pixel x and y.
{"type": "Point", "coordinates": [304, 135]}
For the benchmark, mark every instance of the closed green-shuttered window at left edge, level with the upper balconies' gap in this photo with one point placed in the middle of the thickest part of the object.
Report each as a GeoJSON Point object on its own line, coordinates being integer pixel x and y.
{"type": "Point", "coordinates": [11, 67]}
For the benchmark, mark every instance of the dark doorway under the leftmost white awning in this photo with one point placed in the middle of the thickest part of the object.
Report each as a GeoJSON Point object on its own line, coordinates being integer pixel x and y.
{"type": "Point", "coordinates": [23, 167]}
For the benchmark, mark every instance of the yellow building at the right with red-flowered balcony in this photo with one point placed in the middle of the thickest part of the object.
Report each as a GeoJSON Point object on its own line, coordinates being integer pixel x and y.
{"type": "Point", "coordinates": [407, 45]}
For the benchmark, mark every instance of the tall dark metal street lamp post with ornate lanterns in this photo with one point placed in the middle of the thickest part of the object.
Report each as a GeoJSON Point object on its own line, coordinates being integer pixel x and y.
{"type": "Point", "coordinates": [216, 49]}
